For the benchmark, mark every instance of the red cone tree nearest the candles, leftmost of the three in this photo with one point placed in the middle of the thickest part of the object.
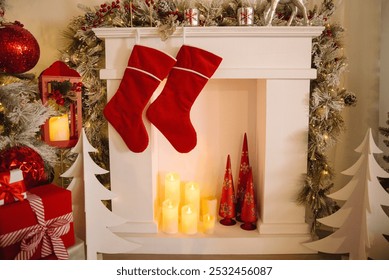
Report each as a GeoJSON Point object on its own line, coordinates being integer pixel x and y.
{"type": "Point", "coordinates": [227, 200]}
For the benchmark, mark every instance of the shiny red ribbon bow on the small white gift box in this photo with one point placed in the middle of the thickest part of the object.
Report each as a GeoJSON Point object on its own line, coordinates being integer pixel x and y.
{"type": "Point", "coordinates": [10, 191]}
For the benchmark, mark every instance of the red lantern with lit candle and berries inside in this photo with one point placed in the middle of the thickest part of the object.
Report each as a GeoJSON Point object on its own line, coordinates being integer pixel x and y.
{"type": "Point", "coordinates": [61, 88]}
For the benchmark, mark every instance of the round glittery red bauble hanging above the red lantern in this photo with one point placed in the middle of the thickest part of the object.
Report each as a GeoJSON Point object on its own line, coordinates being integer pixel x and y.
{"type": "Point", "coordinates": [19, 50]}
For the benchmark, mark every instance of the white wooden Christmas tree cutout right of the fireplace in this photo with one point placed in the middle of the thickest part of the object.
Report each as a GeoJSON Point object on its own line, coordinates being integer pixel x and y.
{"type": "Point", "coordinates": [361, 221]}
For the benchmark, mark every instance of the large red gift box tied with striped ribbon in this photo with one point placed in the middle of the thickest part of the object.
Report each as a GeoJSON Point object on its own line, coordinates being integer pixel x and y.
{"type": "Point", "coordinates": [39, 227]}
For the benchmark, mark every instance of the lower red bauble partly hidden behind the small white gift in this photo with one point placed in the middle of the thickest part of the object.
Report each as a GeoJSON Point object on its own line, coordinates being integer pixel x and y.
{"type": "Point", "coordinates": [27, 160]}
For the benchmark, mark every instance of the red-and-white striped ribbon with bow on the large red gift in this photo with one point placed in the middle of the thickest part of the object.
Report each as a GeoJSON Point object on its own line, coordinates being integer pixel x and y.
{"type": "Point", "coordinates": [46, 232]}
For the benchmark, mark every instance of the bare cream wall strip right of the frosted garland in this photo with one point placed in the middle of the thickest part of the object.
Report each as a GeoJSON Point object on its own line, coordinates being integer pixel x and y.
{"type": "Point", "coordinates": [362, 21]}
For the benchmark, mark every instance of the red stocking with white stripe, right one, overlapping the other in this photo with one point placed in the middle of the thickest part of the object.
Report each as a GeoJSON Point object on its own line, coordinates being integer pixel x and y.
{"type": "Point", "coordinates": [170, 112]}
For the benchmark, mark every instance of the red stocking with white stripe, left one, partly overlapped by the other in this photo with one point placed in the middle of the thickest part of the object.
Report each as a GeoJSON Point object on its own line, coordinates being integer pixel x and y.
{"type": "Point", "coordinates": [147, 67]}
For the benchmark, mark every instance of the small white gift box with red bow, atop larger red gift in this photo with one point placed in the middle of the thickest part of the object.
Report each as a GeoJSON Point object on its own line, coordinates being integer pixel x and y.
{"type": "Point", "coordinates": [12, 187]}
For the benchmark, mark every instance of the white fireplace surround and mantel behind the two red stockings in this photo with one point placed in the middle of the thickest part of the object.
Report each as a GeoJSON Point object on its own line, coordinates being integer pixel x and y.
{"type": "Point", "coordinates": [262, 88]}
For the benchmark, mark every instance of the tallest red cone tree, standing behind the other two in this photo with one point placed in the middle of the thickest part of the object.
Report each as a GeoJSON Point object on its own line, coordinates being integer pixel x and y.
{"type": "Point", "coordinates": [243, 176]}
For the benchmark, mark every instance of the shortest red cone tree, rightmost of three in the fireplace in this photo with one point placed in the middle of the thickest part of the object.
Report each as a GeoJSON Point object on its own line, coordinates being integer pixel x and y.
{"type": "Point", "coordinates": [249, 207]}
